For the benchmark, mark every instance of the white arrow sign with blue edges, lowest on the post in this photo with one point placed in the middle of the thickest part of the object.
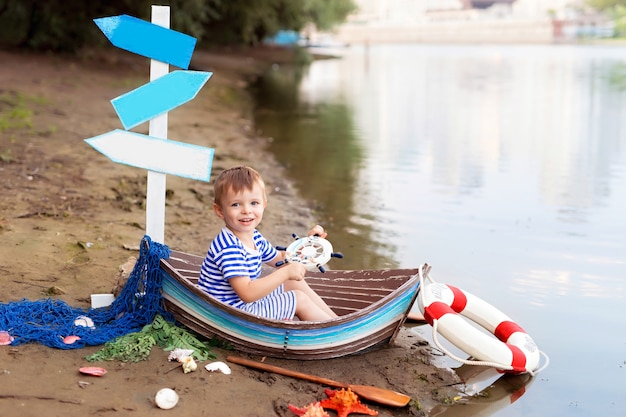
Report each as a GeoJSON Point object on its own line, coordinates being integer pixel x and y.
{"type": "Point", "coordinates": [154, 154]}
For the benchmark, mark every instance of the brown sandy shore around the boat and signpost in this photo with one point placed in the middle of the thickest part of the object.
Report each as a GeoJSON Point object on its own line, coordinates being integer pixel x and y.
{"type": "Point", "coordinates": [68, 216]}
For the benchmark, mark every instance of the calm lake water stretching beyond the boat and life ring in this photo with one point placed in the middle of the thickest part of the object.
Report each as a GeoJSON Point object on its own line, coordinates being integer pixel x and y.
{"type": "Point", "coordinates": [504, 167]}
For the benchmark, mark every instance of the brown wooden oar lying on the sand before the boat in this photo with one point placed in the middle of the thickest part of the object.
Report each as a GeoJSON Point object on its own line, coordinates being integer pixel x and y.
{"type": "Point", "coordinates": [379, 395]}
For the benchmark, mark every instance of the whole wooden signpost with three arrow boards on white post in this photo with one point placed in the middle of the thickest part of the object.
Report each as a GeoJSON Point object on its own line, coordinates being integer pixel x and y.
{"type": "Point", "coordinates": [152, 102]}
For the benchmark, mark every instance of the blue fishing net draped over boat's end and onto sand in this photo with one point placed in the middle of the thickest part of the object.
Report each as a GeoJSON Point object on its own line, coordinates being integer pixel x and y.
{"type": "Point", "coordinates": [50, 321]}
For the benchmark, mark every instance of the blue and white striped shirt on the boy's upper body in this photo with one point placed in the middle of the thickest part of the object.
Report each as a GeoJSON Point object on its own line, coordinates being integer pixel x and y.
{"type": "Point", "coordinates": [227, 258]}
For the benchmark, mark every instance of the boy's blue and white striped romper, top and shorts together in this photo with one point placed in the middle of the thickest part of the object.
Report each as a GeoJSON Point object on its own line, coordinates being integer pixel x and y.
{"type": "Point", "coordinates": [227, 257]}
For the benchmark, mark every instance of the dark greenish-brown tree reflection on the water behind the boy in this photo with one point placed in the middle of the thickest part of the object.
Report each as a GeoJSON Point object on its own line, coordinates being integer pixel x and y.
{"type": "Point", "coordinates": [324, 161]}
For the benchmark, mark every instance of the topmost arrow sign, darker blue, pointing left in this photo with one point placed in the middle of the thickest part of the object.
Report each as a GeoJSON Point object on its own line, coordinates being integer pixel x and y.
{"type": "Point", "coordinates": [147, 39]}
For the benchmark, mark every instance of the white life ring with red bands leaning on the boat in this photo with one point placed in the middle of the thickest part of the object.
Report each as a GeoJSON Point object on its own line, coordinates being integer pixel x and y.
{"type": "Point", "coordinates": [446, 308]}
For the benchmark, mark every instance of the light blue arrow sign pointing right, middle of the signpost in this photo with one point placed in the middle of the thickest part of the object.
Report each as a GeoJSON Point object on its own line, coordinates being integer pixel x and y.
{"type": "Point", "coordinates": [159, 96]}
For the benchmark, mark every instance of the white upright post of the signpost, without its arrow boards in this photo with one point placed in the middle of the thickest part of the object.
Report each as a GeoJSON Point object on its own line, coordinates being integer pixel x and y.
{"type": "Point", "coordinates": [155, 192]}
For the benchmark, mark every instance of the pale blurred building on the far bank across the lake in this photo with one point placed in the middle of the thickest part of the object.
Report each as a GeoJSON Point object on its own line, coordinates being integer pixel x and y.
{"type": "Point", "coordinates": [471, 21]}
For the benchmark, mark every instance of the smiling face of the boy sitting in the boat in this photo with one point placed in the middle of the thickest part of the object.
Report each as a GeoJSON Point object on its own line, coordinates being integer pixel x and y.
{"type": "Point", "coordinates": [242, 212]}
